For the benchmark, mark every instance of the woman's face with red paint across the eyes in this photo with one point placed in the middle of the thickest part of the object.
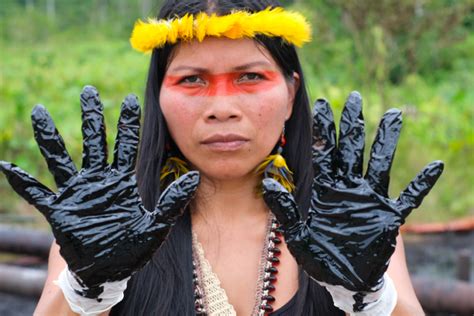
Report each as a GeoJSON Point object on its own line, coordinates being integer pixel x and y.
{"type": "Point", "coordinates": [225, 102]}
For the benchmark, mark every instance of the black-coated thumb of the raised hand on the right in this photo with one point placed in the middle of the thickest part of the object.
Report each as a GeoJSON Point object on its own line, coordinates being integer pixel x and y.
{"type": "Point", "coordinates": [280, 202]}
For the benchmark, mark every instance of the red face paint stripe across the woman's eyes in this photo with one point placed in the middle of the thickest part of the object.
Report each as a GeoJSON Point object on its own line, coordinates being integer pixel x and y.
{"type": "Point", "coordinates": [223, 84]}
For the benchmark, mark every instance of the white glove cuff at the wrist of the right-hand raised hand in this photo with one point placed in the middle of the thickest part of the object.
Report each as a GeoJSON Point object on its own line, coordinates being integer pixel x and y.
{"type": "Point", "coordinates": [378, 303]}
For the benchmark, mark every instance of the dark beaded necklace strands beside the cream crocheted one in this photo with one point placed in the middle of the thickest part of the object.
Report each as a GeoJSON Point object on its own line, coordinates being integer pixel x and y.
{"type": "Point", "coordinates": [267, 278]}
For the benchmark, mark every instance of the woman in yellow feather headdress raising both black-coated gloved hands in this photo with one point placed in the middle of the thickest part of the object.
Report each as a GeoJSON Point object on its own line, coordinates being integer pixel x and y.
{"type": "Point", "coordinates": [243, 202]}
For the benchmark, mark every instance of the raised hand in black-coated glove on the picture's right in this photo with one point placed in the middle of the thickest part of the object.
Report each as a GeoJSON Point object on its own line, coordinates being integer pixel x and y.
{"type": "Point", "coordinates": [349, 235]}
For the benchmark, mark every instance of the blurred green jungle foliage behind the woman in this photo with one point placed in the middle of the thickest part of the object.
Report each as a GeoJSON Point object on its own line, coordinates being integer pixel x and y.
{"type": "Point", "coordinates": [416, 55]}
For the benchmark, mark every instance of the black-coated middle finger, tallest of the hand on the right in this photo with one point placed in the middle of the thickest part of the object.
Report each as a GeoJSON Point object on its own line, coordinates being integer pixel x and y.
{"type": "Point", "coordinates": [351, 138]}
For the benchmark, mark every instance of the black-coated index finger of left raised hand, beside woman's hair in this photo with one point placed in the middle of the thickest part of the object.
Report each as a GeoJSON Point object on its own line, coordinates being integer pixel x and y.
{"type": "Point", "coordinates": [128, 133]}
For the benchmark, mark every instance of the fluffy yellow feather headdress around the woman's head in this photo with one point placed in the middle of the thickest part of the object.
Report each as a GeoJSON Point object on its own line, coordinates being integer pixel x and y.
{"type": "Point", "coordinates": [273, 22]}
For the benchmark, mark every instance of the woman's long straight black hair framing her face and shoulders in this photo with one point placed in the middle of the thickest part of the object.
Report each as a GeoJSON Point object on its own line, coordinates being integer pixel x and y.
{"type": "Point", "coordinates": [164, 286]}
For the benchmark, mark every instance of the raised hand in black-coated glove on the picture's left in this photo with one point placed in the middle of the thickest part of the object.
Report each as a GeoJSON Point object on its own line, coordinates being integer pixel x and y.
{"type": "Point", "coordinates": [97, 217]}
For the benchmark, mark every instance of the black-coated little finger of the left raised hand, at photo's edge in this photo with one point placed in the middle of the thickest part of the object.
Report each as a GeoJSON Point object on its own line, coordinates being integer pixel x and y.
{"type": "Point", "coordinates": [25, 185]}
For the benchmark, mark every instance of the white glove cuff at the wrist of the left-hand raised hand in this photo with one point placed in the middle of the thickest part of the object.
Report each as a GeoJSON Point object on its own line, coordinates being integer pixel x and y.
{"type": "Point", "coordinates": [112, 294]}
